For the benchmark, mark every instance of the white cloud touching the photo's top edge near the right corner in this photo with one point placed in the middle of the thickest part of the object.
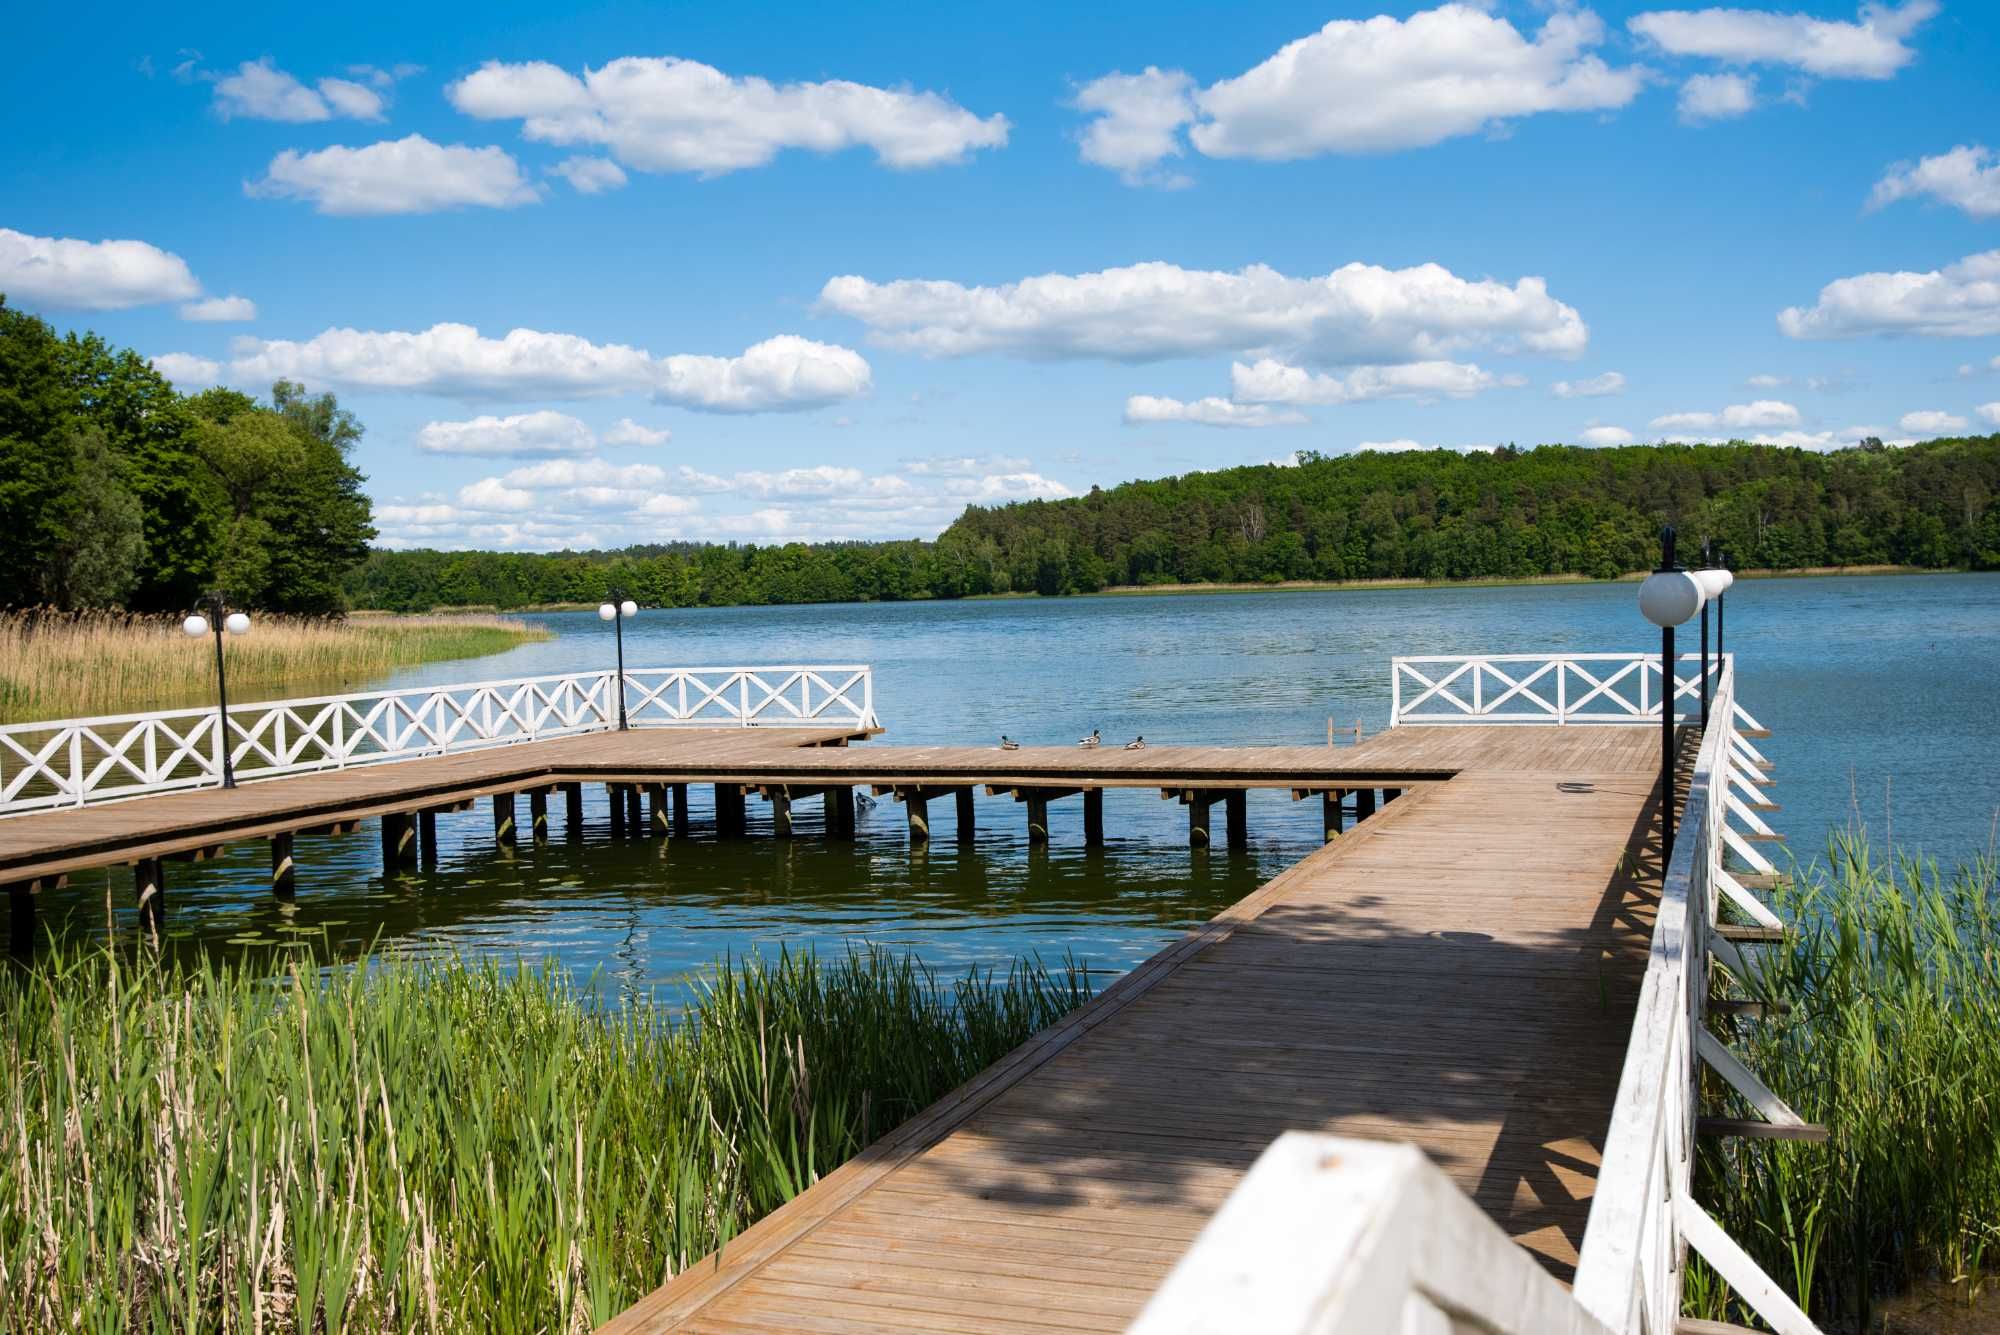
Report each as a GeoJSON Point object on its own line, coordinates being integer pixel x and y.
{"type": "Point", "coordinates": [1871, 47]}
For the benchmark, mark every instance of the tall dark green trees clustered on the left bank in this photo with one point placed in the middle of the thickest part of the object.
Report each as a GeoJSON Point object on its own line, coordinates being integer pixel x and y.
{"type": "Point", "coordinates": [119, 493]}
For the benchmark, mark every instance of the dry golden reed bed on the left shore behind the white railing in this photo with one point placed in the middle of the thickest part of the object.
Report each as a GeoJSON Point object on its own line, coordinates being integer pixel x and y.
{"type": "Point", "coordinates": [71, 667]}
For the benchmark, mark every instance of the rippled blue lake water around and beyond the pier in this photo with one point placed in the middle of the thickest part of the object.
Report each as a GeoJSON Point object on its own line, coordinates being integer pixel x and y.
{"type": "Point", "coordinates": [1881, 694]}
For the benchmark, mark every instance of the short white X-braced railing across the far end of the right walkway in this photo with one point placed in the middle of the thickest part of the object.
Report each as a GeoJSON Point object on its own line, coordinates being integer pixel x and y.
{"type": "Point", "coordinates": [1541, 688]}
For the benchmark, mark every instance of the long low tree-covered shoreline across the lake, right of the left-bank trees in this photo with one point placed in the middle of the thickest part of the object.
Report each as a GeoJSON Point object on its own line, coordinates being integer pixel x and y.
{"type": "Point", "coordinates": [1365, 517]}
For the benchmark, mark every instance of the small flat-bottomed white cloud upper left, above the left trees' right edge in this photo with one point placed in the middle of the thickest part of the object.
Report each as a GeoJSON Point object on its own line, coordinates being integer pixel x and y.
{"type": "Point", "coordinates": [397, 177]}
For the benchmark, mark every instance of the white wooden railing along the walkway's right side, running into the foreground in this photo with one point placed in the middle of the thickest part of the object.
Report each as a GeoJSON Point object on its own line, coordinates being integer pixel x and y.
{"type": "Point", "coordinates": [1353, 1238]}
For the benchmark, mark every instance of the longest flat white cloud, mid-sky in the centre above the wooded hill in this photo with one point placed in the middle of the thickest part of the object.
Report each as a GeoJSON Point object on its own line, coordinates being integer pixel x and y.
{"type": "Point", "coordinates": [1357, 315]}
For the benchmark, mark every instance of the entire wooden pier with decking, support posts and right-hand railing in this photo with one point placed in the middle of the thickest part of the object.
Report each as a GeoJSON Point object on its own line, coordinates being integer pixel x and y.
{"type": "Point", "coordinates": [1471, 966]}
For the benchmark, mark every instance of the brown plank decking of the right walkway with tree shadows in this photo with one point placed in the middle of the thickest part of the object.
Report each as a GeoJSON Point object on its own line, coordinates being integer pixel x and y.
{"type": "Point", "coordinates": [1457, 972]}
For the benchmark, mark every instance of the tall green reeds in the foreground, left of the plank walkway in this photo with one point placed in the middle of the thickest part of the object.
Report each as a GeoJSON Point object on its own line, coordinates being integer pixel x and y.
{"type": "Point", "coordinates": [441, 1146]}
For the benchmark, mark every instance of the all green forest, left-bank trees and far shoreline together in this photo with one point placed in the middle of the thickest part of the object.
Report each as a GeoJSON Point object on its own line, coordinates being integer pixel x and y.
{"type": "Point", "coordinates": [121, 493]}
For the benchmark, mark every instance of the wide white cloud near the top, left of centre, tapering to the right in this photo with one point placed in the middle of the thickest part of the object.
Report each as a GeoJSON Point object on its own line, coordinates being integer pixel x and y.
{"type": "Point", "coordinates": [667, 115]}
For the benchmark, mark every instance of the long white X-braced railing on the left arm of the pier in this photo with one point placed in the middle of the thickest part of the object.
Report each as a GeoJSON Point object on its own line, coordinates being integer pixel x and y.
{"type": "Point", "coordinates": [75, 762]}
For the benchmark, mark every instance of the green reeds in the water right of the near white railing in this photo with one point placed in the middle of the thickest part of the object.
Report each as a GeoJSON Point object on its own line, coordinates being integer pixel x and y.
{"type": "Point", "coordinates": [1895, 1046]}
